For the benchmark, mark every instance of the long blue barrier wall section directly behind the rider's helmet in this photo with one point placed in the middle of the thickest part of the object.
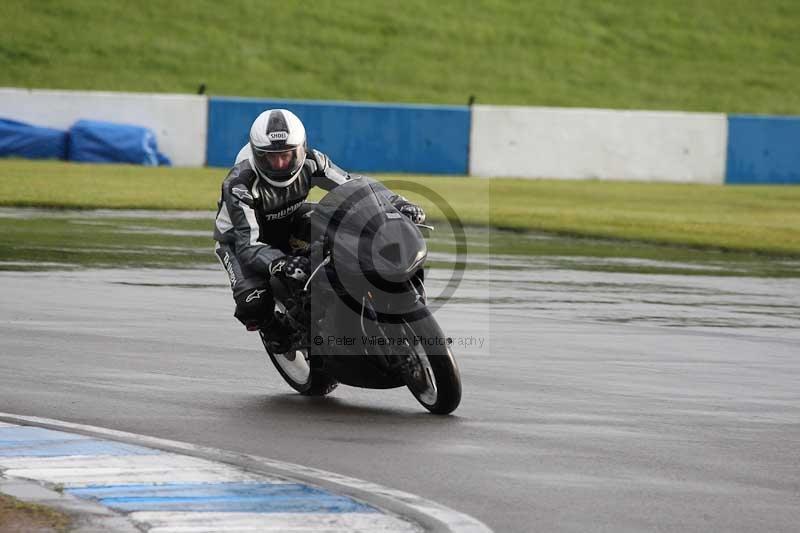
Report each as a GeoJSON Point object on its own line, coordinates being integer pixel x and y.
{"type": "Point", "coordinates": [357, 136]}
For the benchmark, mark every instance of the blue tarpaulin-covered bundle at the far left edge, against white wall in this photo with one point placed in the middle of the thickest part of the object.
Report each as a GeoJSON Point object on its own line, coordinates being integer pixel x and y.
{"type": "Point", "coordinates": [18, 139]}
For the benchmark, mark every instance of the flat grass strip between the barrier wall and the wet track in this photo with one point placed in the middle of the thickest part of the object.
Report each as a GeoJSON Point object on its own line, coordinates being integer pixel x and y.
{"type": "Point", "coordinates": [762, 219]}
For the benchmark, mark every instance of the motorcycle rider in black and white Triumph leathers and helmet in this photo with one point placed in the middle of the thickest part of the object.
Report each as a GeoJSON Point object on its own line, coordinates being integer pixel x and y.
{"type": "Point", "coordinates": [262, 216]}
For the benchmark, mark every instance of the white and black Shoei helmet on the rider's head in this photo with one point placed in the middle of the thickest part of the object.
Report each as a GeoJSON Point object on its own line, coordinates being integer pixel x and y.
{"type": "Point", "coordinates": [278, 144]}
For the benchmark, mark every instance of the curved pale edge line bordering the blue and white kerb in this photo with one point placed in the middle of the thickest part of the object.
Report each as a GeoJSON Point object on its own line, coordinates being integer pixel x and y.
{"type": "Point", "coordinates": [433, 516]}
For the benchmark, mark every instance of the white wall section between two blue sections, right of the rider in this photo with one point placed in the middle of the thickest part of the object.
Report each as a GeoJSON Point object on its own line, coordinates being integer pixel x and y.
{"type": "Point", "coordinates": [536, 142]}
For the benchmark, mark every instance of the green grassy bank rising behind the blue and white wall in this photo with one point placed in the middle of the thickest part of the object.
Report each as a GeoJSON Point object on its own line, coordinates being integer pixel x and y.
{"type": "Point", "coordinates": [713, 55]}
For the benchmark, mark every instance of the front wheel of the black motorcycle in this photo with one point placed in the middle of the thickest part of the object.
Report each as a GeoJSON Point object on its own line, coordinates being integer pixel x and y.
{"type": "Point", "coordinates": [436, 361]}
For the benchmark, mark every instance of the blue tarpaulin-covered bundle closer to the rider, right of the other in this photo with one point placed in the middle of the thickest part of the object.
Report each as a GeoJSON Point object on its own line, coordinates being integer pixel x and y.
{"type": "Point", "coordinates": [107, 142]}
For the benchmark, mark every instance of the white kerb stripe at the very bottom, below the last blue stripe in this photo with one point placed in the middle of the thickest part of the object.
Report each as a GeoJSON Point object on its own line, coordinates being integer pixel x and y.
{"type": "Point", "coordinates": [161, 522]}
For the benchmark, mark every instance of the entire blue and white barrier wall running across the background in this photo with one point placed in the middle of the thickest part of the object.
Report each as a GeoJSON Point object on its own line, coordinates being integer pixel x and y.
{"type": "Point", "coordinates": [495, 141]}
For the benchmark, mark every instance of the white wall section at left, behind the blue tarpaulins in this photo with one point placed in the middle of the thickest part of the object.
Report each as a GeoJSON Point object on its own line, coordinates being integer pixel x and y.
{"type": "Point", "coordinates": [179, 121]}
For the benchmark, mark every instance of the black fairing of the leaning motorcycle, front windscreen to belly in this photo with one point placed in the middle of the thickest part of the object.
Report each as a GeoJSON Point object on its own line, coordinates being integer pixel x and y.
{"type": "Point", "coordinates": [367, 289]}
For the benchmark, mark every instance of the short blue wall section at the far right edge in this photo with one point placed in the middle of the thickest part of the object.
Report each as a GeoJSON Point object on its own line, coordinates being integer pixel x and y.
{"type": "Point", "coordinates": [763, 149]}
